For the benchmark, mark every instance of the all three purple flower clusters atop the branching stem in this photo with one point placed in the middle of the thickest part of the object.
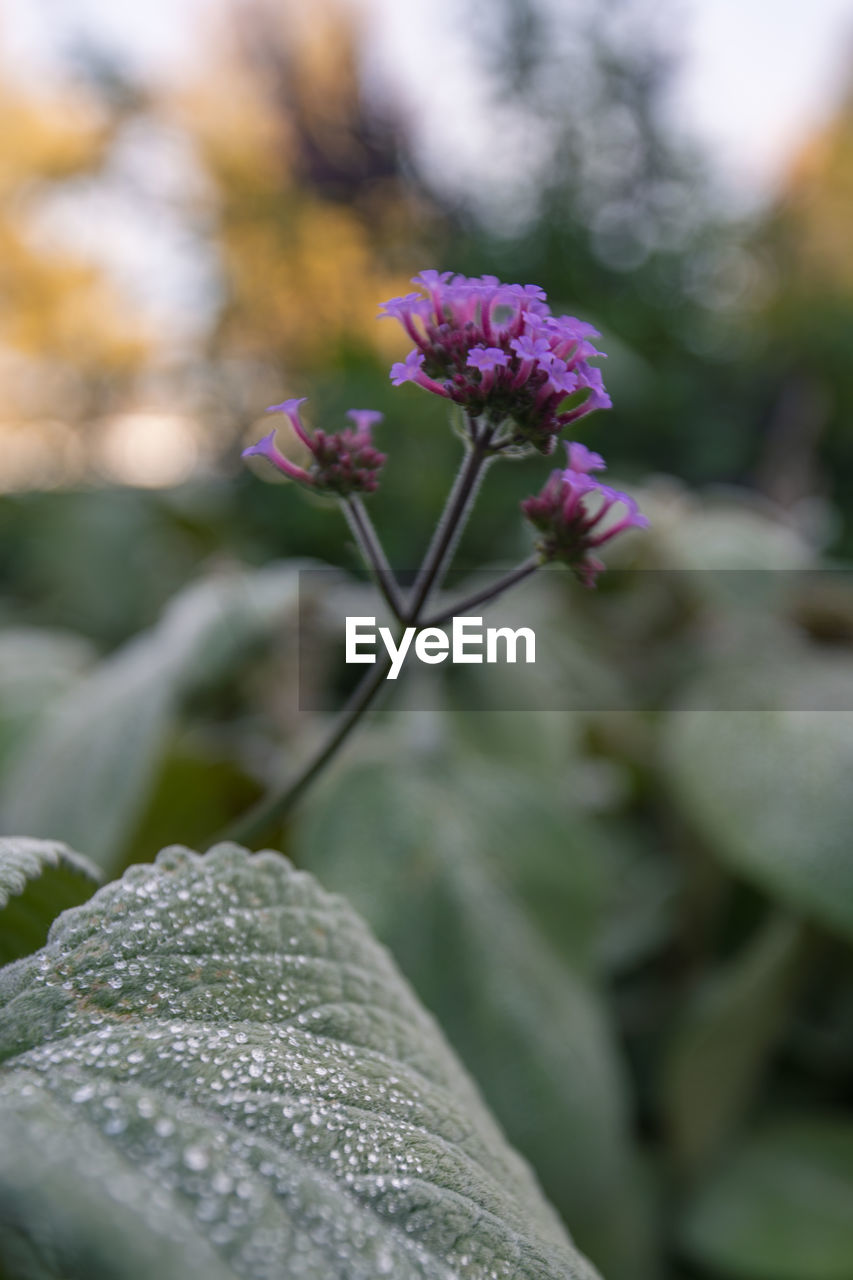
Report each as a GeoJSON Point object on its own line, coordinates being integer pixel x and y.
{"type": "Point", "coordinates": [521, 376]}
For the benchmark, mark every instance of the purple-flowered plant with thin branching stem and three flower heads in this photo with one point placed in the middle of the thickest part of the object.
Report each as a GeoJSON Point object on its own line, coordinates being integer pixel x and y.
{"type": "Point", "coordinates": [519, 377]}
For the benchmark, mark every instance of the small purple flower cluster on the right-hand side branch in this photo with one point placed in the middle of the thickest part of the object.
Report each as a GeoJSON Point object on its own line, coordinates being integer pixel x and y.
{"type": "Point", "coordinates": [571, 514]}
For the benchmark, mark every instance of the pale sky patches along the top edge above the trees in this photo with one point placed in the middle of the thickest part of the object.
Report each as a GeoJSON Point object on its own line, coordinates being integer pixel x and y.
{"type": "Point", "coordinates": [756, 76]}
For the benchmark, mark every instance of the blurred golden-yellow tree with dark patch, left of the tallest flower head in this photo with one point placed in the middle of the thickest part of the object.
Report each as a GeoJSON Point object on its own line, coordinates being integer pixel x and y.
{"type": "Point", "coordinates": [314, 220]}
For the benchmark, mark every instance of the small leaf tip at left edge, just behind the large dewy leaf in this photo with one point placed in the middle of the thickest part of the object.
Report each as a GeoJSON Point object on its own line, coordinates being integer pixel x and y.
{"type": "Point", "coordinates": [39, 879]}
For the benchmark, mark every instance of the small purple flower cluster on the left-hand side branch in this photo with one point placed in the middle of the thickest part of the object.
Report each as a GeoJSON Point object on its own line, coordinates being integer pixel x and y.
{"type": "Point", "coordinates": [344, 461]}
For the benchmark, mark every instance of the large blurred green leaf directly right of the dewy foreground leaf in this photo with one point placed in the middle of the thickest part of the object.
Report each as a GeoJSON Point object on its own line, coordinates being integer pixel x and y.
{"type": "Point", "coordinates": [449, 874]}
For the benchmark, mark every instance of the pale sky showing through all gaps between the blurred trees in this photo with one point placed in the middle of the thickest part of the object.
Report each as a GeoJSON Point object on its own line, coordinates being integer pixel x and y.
{"type": "Point", "coordinates": [755, 81]}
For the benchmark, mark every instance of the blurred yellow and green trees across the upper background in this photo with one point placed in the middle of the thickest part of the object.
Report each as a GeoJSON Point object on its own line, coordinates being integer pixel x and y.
{"type": "Point", "coordinates": [728, 345]}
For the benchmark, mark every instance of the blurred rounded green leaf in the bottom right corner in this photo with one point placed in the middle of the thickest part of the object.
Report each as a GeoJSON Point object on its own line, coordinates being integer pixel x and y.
{"type": "Point", "coordinates": [779, 1208]}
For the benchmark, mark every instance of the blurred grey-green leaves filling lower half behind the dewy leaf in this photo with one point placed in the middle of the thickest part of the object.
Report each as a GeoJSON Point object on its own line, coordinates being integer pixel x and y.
{"type": "Point", "coordinates": [632, 924]}
